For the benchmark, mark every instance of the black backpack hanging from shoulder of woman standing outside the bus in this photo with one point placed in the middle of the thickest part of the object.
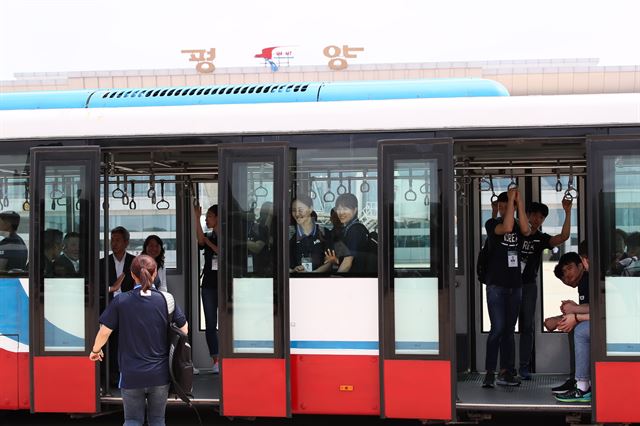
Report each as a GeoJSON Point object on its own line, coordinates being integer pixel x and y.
{"type": "Point", "coordinates": [180, 362]}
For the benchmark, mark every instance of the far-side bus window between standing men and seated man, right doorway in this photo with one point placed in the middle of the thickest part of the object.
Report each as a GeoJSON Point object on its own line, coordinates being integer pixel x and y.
{"type": "Point", "coordinates": [554, 292]}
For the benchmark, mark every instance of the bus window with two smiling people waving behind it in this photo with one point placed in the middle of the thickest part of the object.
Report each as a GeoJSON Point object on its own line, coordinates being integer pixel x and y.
{"type": "Point", "coordinates": [334, 212]}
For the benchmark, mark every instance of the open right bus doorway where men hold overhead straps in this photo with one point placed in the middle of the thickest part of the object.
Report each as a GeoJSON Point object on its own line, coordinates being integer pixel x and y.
{"type": "Point", "coordinates": [542, 170]}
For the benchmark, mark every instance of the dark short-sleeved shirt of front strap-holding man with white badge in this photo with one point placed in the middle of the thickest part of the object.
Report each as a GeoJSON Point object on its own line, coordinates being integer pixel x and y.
{"type": "Point", "coordinates": [503, 268]}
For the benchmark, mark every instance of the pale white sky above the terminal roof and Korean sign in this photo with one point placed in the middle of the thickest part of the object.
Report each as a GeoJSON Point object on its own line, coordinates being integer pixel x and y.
{"type": "Point", "coordinates": [101, 35]}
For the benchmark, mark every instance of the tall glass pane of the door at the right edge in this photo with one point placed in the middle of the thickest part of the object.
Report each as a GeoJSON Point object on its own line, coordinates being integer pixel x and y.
{"type": "Point", "coordinates": [619, 256]}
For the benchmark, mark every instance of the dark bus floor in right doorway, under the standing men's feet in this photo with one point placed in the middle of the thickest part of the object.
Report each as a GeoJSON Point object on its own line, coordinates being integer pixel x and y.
{"type": "Point", "coordinates": [531, 395]}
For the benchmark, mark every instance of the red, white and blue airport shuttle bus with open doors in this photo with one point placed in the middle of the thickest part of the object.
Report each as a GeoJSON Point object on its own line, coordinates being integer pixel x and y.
{"type": "Point", "coordinates": [401, 331]}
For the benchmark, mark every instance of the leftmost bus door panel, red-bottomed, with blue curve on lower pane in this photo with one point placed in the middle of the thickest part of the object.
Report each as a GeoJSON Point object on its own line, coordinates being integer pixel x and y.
{"type": "Point", "coordinates": [64, 289]}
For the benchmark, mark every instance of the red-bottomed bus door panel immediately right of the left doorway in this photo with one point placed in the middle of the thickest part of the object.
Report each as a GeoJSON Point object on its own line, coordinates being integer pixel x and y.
{"type": "Point", "coordinates": [253, 288]}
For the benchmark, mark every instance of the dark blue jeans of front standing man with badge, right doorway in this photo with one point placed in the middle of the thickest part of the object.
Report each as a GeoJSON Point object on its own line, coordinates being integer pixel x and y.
{"type": "Point", "coordinates": [504, 306]}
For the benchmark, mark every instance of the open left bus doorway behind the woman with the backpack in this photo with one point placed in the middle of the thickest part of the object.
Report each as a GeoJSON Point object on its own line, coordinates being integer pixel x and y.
{"type": "Point", "coordinates": [152, 191]}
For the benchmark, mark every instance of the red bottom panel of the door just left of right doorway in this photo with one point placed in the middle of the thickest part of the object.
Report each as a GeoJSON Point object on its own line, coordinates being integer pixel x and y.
{"type": "Point", "coordinates": [416, 389]}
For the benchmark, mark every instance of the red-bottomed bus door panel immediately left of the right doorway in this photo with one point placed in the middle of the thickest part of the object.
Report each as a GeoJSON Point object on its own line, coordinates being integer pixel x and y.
{"type": "Point", "coordinates": [416, 255]}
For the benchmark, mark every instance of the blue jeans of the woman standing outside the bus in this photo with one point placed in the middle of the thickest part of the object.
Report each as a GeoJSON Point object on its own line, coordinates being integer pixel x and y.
{"type": "Point", "coordinates": [134, 405]}
